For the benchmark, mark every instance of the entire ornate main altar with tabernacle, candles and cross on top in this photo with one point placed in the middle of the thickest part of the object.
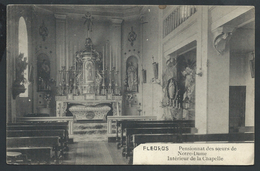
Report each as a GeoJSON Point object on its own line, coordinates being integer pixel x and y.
{"type": "Point", "coordinates": [90, 89]}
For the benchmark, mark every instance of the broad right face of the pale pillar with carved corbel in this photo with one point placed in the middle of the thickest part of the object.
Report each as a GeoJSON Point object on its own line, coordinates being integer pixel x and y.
{"type": "Point", "coordinates": [218, 80]}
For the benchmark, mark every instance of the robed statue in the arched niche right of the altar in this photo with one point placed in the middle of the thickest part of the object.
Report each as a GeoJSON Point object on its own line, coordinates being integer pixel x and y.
{"type": "Point", "coordinates": [131, 77]}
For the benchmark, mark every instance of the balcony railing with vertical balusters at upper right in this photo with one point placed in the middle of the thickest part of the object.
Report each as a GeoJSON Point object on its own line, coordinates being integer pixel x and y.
{"type": "Point", "coordinates": [177, 17]}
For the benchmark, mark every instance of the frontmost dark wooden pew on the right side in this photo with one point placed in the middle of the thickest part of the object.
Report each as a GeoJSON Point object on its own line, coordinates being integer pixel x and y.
{"type": "Point", "coordinates": [150, 124]}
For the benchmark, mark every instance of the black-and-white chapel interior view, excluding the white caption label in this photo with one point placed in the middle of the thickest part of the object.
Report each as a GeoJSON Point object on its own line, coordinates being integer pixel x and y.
{"type": "Point", "coordinates": [87, 73]}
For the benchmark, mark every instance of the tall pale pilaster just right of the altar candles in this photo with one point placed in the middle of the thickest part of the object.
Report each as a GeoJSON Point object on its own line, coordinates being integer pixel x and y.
{"type": "Point", "coordinates": [116, 45]}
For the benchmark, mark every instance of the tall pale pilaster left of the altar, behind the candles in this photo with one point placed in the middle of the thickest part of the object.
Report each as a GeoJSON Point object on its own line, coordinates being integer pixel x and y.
{"type": "Point", "coordinates": [60, 43]}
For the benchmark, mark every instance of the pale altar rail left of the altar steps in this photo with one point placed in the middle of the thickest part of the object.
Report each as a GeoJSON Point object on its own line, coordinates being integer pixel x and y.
{"type": "Point", "coordinates": [49, 119]}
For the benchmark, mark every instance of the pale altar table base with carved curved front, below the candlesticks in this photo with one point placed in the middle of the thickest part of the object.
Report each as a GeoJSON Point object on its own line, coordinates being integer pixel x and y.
{"type": "Point", "coordinates": [89, 107]}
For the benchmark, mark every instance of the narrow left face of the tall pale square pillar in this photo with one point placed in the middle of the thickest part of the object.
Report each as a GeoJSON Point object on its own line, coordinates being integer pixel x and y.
{"type": "Point", "coordinates": [201, 81]}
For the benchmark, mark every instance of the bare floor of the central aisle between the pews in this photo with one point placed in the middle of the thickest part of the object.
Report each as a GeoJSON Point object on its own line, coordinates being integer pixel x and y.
{"type": "Point", "coordinates": [94, 153]}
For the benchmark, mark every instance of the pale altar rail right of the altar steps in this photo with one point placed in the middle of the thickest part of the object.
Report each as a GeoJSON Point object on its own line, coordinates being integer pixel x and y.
{"type": "Point", "coordinates": [120, 118]}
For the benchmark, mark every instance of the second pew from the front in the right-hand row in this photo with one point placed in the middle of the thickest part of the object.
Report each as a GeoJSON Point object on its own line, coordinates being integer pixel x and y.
{"type": "Point", "coordinates": [156, 130]}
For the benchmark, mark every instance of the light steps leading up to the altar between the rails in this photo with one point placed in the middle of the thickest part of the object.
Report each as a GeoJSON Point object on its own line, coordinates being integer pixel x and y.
{"type": "Point", "coordinates": [90, 131]}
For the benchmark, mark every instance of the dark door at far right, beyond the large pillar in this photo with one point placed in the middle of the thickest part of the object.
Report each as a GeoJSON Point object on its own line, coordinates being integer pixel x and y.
{"type": "Point", "coordinates": [237, 101]}
